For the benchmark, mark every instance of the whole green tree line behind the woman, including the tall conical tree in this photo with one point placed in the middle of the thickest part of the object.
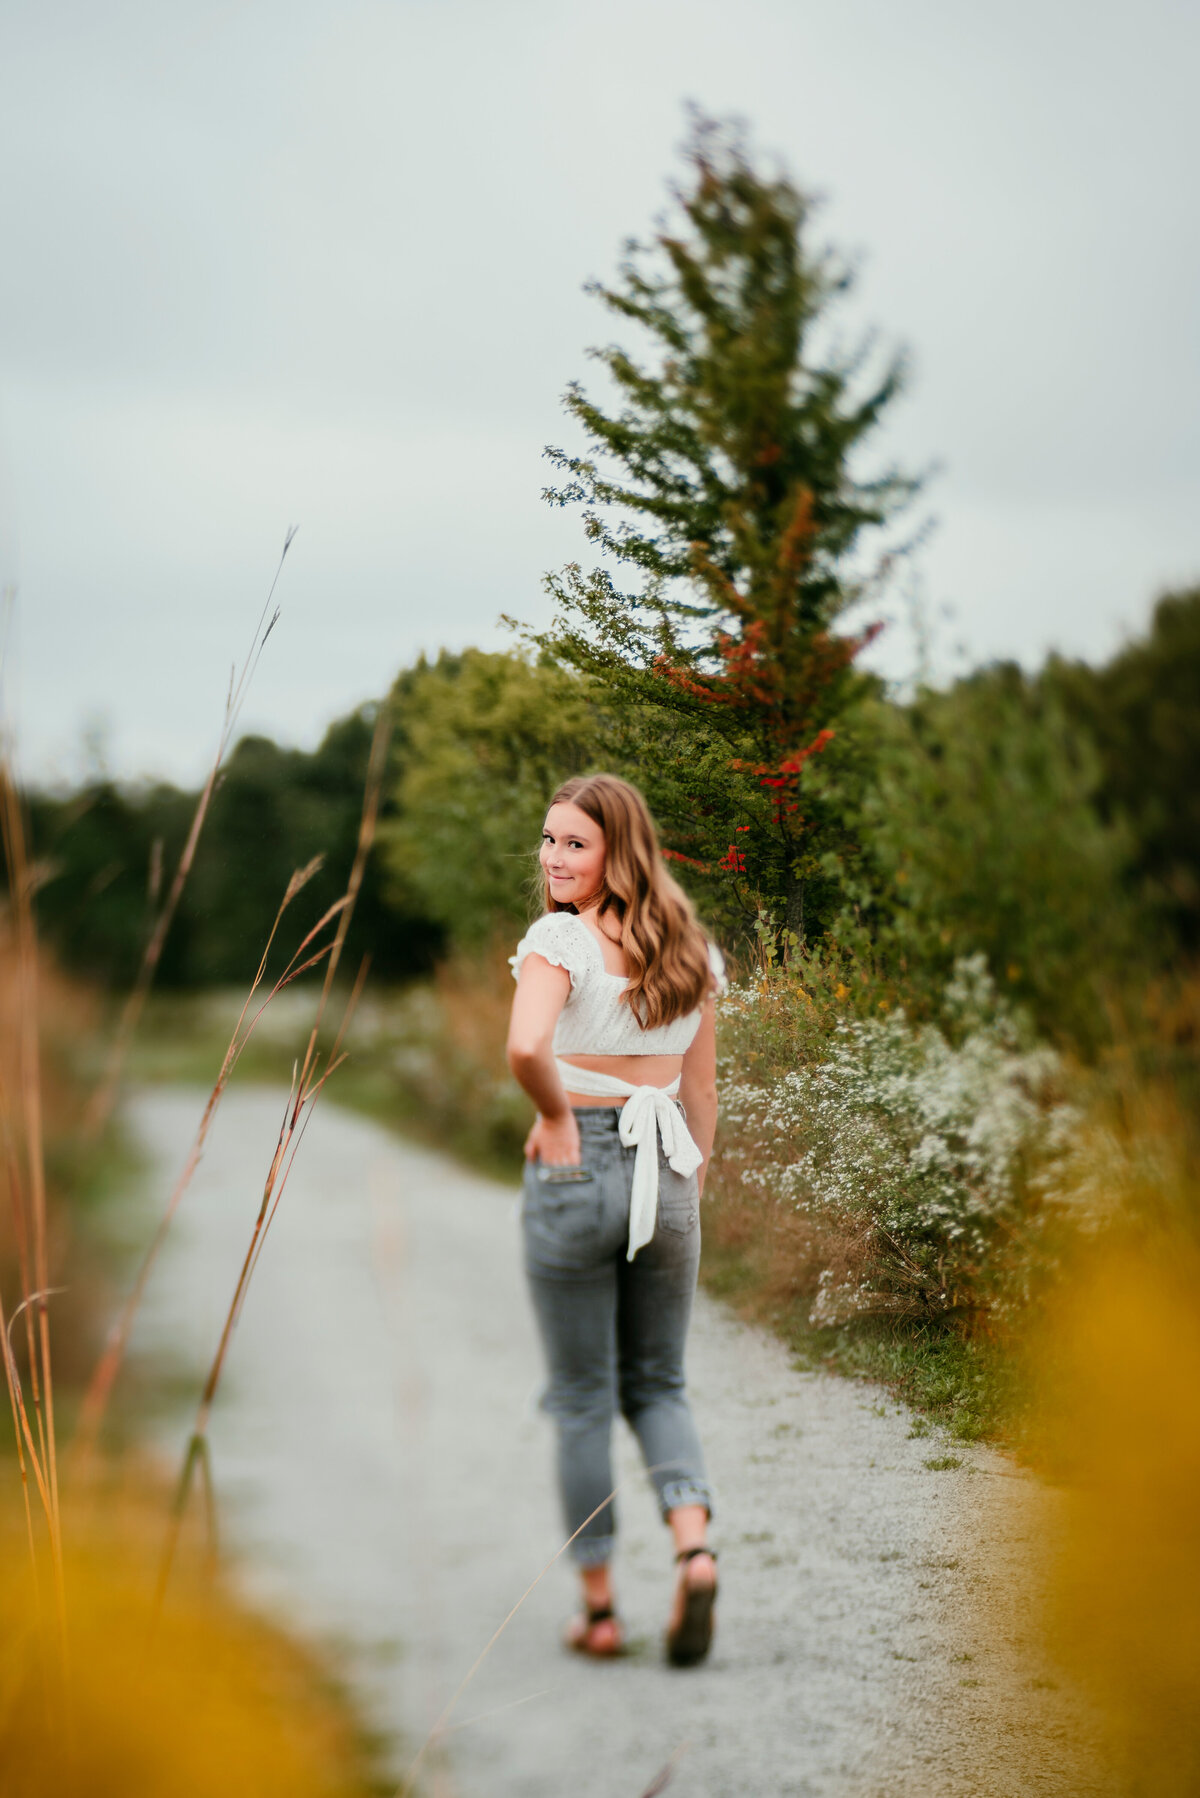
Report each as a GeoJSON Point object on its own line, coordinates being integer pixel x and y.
{"type": "Point", "coordinates": [740, 540]}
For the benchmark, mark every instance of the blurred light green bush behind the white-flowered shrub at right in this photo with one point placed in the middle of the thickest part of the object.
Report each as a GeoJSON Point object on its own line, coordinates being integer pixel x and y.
{"type": "Point", "coordinates": [983, 835]}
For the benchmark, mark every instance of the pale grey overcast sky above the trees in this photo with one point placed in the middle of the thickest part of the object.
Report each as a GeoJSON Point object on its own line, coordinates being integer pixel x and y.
{"type": "Point", "coordinates": [294, 262]}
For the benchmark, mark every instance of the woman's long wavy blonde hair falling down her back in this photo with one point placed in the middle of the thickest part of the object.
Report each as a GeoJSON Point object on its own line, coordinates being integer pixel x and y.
{"type": "Point", "coordinates": [665, 947]}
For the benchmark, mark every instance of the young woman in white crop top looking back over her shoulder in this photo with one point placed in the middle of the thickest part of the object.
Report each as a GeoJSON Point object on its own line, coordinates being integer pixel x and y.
{"type": "Point", "coordinates": [613, 1038]}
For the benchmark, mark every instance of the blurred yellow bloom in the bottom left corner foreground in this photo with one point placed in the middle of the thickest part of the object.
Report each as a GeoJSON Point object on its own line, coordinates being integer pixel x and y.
{"type": "Point", "coordinates": [206, 1704]}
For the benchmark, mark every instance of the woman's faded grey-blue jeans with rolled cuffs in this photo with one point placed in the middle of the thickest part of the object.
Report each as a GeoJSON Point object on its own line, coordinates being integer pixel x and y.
{"type": "Point", "coordinates": [614, 1330]}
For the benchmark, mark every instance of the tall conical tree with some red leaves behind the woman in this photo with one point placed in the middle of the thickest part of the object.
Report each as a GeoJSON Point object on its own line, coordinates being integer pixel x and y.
{"type": "Point", "coordinates": [721, 494]}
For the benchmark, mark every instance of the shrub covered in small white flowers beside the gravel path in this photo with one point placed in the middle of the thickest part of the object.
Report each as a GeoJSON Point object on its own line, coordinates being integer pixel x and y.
{"type": "Point", "coordinates": [918, 1152]}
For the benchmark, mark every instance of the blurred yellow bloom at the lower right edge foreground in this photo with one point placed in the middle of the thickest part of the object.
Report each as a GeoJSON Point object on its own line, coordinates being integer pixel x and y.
{"type": "Point", "coordinates": [1124, 1416]}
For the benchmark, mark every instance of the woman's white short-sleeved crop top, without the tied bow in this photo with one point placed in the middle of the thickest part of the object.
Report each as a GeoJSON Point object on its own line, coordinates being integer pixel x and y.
{"type": "Point", "coordinates": [596, 1020]}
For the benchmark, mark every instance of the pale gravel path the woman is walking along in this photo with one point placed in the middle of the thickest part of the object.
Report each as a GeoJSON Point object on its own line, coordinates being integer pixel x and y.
{"type": "Point", "coordinates": [386, 1486]}
